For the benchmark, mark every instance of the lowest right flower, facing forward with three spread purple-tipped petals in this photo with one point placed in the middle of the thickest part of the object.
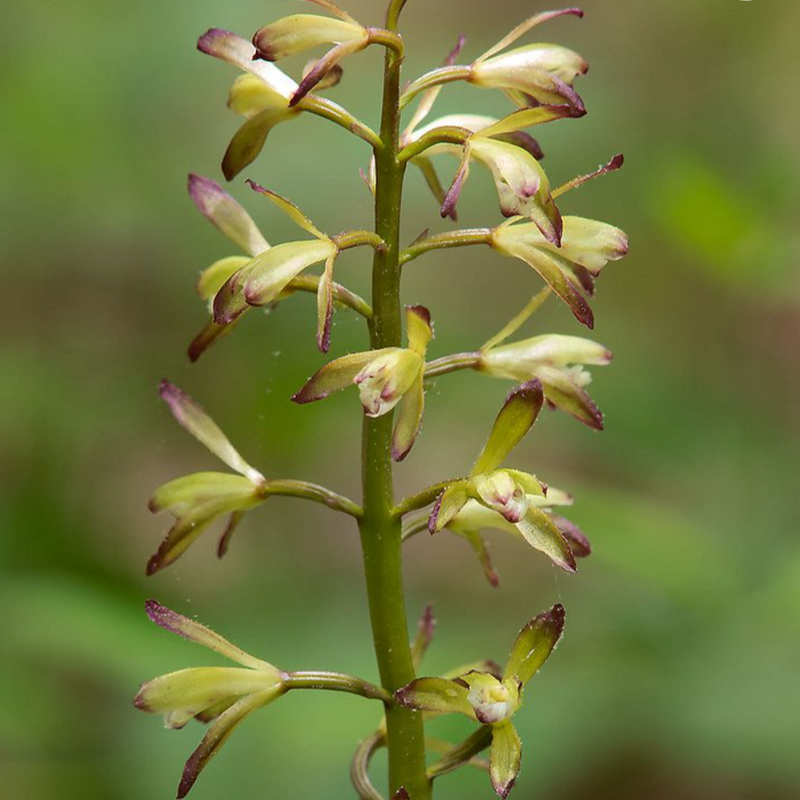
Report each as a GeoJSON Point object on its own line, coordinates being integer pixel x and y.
{"type": "Point", "coordinates": [493, 700]}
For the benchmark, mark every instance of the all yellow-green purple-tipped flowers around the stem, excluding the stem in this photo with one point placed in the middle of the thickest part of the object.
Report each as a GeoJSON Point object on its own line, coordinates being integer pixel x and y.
{"type": "Point", "coordinates": [568, 253]}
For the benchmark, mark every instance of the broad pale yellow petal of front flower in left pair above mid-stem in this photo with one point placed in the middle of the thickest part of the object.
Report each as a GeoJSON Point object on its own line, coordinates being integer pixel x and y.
{"type": "Point", "coordinates": [272, 271]}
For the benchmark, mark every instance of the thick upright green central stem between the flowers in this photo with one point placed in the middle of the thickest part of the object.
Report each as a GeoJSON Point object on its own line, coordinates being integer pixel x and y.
{"type": "Point", "coordinates": [380, 528]}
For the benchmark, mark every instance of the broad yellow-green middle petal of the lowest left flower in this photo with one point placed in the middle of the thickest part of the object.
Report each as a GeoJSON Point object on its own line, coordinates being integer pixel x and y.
{"type": "Point", "coordinates": [194, 690]}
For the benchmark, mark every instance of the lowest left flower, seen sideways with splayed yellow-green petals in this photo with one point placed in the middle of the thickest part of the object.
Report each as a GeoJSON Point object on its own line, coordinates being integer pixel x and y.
{"type": "Point", "coordinates": [222, 696]}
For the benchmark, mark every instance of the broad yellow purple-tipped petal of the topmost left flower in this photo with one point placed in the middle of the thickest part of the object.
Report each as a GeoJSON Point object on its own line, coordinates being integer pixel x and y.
{"type": "Point", "coordinates": [300, 32]}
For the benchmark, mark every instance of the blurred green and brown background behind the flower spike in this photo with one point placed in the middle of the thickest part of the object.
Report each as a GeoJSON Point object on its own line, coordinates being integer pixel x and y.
{"type": "Point", "coordinates": [678, 674]}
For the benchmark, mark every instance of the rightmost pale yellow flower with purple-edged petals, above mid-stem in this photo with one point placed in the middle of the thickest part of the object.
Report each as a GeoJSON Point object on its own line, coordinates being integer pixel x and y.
{"type": "Point", "coordinates": [571, 269]}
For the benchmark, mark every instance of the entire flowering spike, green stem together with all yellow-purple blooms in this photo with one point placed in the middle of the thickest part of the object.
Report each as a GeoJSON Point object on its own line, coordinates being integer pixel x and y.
{"type": "Point", "coordinates": [391, 378]}
